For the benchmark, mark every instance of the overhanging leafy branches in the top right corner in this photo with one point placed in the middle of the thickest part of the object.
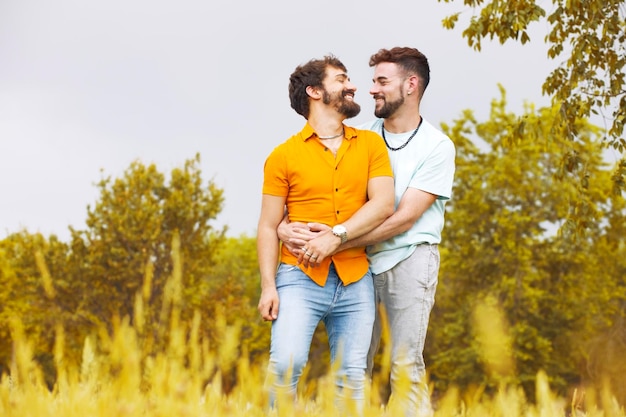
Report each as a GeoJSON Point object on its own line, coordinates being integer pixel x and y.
{"type": "Point", "coordinates": [589, 37]}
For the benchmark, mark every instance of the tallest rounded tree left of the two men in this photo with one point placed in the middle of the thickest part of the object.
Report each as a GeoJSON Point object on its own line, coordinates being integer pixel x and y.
{"type": "Point", "coordinates": [126, 250]}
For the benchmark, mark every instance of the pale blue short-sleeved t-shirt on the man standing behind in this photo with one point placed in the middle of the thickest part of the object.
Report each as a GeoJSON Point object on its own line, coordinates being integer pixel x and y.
{"type": "Point", "coordinates": [427, 164]}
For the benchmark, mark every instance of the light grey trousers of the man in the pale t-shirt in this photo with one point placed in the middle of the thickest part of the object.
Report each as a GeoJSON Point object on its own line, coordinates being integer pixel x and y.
{"type": "Point", "coordinates": [407, 294]}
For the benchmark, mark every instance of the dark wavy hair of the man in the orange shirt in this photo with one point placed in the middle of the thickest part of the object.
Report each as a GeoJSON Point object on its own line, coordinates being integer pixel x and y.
{"type": "Point", "coordinates": [310, 74]}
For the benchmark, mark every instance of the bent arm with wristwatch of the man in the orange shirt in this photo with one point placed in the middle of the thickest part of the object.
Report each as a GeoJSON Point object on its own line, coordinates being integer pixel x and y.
{"type": "Point", "coordinates": [379, 206]}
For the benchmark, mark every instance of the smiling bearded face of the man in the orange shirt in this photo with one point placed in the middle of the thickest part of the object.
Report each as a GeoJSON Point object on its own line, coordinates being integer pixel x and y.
{"type": "Point", "coordinates": [338, 92]}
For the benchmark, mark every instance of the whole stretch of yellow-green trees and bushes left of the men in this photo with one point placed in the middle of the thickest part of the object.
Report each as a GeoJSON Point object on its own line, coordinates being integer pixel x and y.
{"type": "Point", "coordinates": [149, 254]}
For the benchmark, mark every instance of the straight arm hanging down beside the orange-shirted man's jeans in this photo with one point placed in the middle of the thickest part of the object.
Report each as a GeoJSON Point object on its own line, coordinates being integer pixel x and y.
{"type": "Point", "coordinates": [267, 249]}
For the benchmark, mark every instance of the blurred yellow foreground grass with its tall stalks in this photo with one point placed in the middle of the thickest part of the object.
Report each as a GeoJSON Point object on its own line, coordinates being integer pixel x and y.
{"type": "Point", "coordinates": [192, 377]}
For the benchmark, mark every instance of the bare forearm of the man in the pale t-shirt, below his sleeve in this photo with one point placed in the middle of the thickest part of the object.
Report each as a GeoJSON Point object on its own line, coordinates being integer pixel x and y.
{"type": "Point", "coordinates": [413, 204]}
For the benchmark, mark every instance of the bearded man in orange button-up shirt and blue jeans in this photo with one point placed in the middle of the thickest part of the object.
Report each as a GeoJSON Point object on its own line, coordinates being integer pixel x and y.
{"type": "Point", "coordinates": [336, 175]}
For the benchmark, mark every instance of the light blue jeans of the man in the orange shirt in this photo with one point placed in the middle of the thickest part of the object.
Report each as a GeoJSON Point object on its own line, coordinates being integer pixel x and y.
{"type": "Point", "coordinates": [348, 314]}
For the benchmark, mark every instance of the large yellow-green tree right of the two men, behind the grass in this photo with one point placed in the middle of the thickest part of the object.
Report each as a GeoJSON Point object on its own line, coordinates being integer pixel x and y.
{"type": "Point", "coordinates": [501, 246]}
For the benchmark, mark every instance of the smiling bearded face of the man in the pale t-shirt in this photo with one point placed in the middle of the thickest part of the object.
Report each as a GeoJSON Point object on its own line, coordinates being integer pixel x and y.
{"type": "Point", "coordinates": [388, 89]}
